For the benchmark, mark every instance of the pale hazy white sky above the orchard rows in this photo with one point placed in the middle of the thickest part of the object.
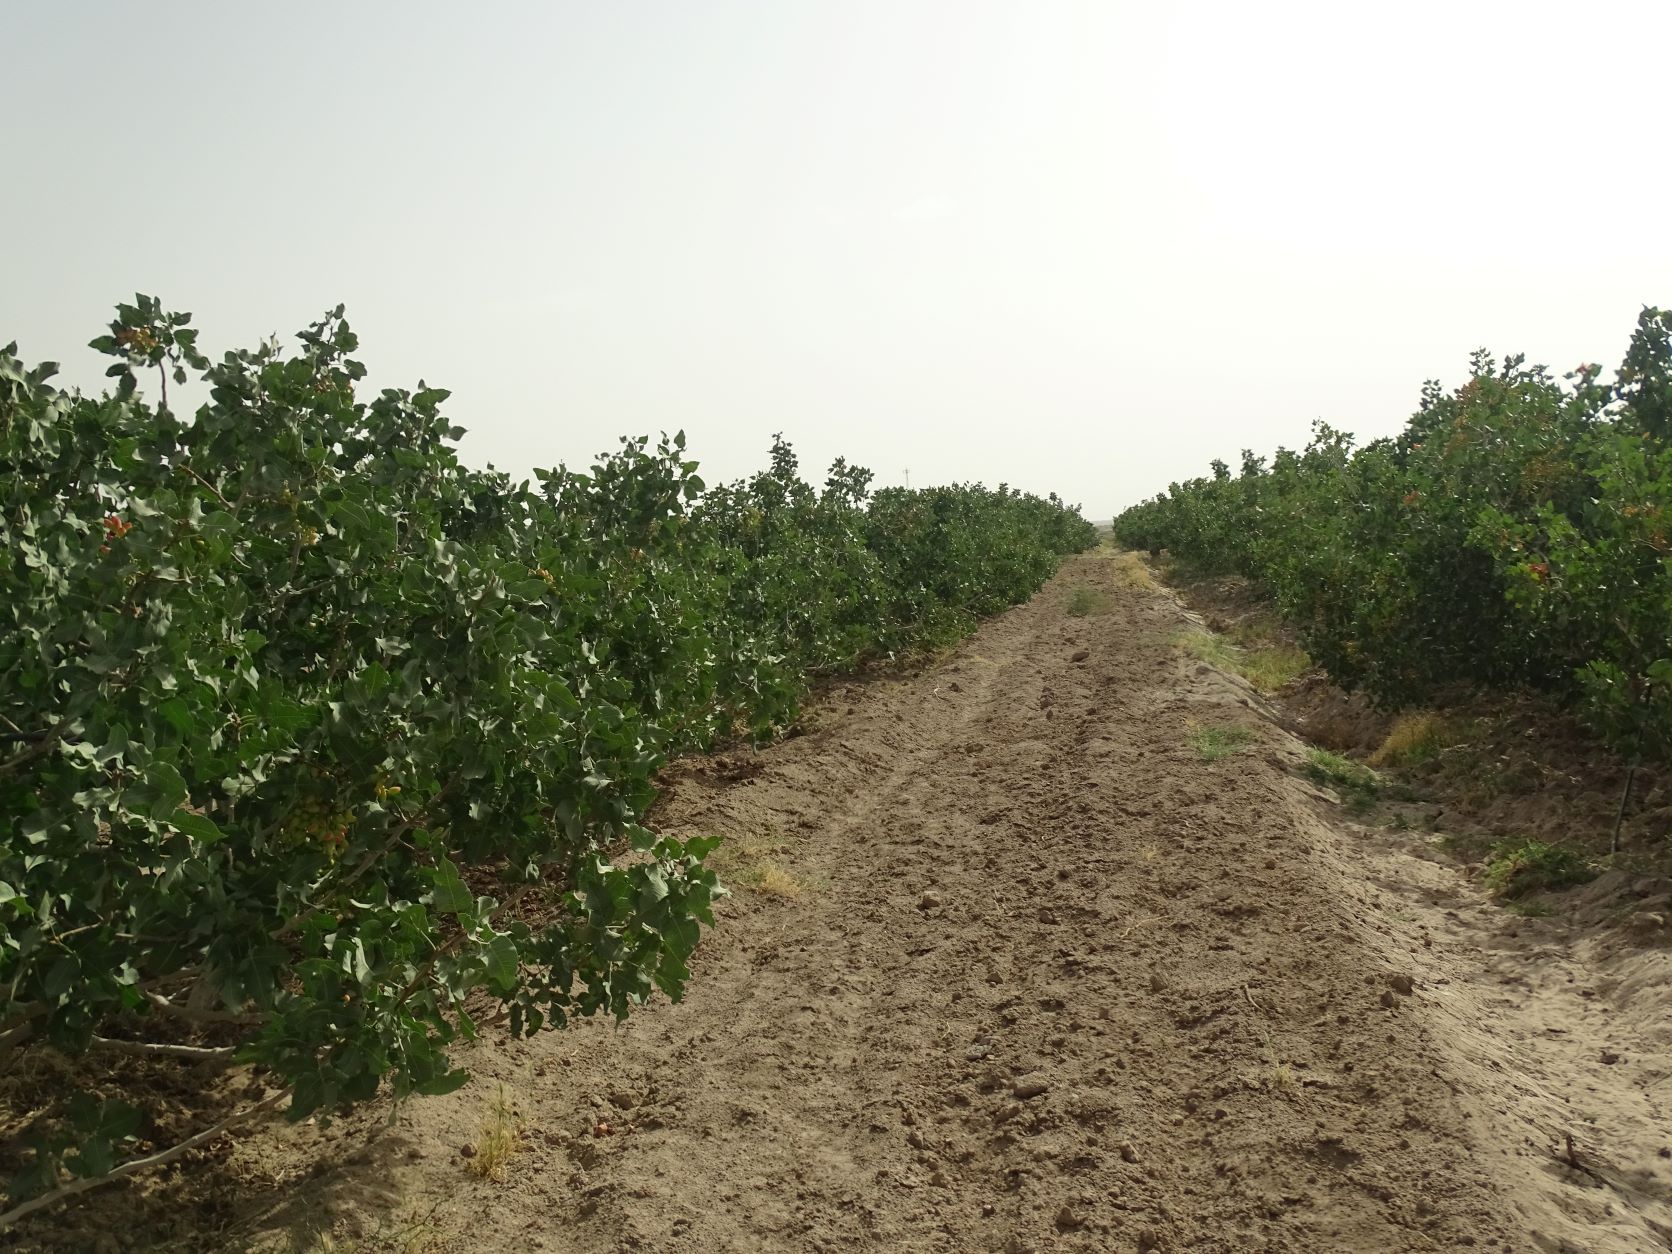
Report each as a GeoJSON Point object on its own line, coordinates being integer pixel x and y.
{"type": "Point", "coordinates": [1076, 247]}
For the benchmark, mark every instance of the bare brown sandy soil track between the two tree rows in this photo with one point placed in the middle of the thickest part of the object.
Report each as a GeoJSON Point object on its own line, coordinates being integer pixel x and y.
{"type": "Point", "coordinates": [1042, 979]}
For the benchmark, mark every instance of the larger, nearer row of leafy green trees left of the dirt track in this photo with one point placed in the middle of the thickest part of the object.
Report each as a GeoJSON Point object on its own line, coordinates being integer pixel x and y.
{"type": "Point", "coordinates": [317, 743]}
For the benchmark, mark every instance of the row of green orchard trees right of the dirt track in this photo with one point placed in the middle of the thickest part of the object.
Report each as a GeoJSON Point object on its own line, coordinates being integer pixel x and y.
{"type": "Point", "coordinates": [1514, 536]}
